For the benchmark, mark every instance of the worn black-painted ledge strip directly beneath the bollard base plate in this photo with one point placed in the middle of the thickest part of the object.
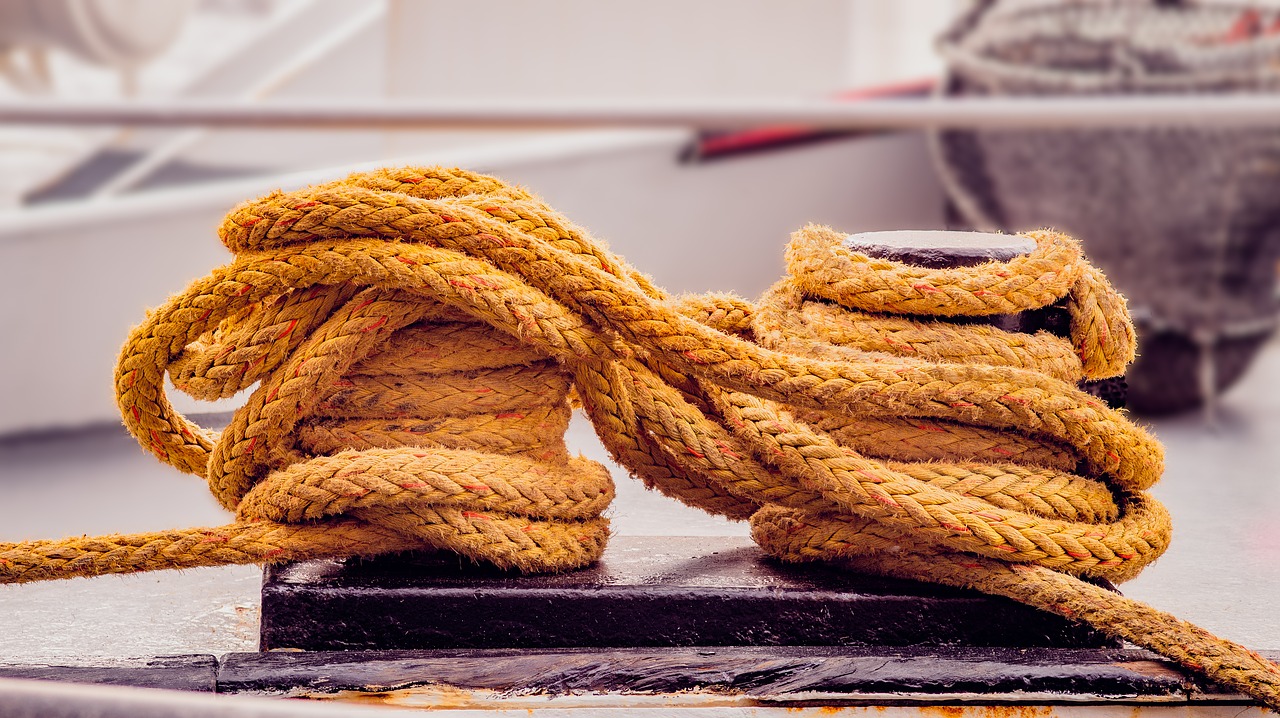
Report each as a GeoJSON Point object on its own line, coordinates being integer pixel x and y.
{"type": "Point", "coordinates": [774, 673]}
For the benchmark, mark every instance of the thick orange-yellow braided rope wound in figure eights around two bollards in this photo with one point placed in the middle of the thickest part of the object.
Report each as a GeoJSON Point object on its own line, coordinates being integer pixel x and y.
{"type": "Point", "coordinates": [414, 335]}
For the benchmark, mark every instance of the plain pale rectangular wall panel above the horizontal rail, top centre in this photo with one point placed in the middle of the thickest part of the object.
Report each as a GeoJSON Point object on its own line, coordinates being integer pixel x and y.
{"type": "Point", "coordinates": [584, 48]}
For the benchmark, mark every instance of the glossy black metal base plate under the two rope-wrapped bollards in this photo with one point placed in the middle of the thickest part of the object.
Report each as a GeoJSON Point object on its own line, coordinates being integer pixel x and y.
{"type": "Point", "coordinates": [647, 592]}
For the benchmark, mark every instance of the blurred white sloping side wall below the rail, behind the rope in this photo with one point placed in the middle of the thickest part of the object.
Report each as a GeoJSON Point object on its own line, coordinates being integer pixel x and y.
{"type": "Point", "coordinates": [74, 280]}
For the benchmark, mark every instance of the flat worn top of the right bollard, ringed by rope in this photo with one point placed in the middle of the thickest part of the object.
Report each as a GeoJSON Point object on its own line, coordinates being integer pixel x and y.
{"type": "Point", "coordinates": [940, 249]}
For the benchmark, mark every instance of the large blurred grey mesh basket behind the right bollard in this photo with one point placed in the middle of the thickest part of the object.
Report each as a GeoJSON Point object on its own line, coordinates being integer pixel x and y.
{"type": "Point", "coordinates": [1185, 221]}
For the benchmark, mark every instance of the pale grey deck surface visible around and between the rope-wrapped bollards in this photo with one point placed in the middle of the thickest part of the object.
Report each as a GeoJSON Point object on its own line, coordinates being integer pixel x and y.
{"type": "Point", "coordinates": [1223, 573]}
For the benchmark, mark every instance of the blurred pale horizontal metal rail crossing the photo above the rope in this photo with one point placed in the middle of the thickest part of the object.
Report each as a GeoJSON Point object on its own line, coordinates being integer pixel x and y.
{"type": "Point", "coordinates": [866, 115]}
